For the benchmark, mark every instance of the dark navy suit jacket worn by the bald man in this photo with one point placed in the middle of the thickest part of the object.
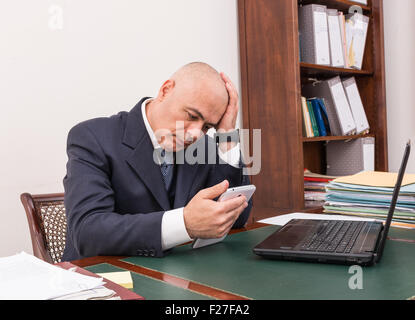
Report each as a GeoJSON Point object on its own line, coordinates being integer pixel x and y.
{"type": "Point", "coordinates": [114, 194]}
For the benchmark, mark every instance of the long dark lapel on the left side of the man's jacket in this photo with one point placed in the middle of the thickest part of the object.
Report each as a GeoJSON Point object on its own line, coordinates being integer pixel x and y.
{"type": "Point", "coordinates": [141, 157]}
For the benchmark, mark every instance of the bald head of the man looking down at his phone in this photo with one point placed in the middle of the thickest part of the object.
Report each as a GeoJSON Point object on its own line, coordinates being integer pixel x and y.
{"type": "Point", "coordinates": [195, 97]}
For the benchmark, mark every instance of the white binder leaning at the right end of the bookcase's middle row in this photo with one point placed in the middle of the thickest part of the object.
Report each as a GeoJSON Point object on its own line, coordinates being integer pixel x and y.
{"type": "Point", "coordinates": [356, 105]}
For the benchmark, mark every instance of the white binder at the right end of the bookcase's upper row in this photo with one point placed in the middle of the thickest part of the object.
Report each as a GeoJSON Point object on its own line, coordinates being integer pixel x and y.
{"type": "Point", "coordinates": [356, 34]}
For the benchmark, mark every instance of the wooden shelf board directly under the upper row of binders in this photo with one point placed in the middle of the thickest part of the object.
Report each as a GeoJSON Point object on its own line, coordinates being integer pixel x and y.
{"type": "Point", "coordinates": [314, 70]}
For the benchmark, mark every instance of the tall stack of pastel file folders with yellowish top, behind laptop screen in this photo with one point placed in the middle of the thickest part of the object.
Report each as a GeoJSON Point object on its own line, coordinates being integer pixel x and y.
{"type": "Point", "coordinates": [369, 194]}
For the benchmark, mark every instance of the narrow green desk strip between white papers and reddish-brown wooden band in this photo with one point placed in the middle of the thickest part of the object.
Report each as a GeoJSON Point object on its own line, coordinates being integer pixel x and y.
{"type": "Point", "coordinates": [149, 288]}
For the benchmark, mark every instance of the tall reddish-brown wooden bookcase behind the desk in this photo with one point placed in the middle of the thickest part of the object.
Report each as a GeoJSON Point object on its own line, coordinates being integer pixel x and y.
{"type": "Point", "coordinates": [271, 78]}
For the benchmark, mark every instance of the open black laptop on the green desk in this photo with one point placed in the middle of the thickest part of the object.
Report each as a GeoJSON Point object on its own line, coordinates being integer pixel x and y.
{"type": "Point", "coordinates": [328, 241]}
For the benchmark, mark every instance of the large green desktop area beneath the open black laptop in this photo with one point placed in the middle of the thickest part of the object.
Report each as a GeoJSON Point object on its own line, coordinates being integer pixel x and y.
{"type": "Point", "coordinates": [232, 266]}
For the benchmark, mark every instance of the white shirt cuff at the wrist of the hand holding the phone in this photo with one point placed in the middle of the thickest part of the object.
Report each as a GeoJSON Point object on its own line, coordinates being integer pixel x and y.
{"type": "Point", "coordinates": [173, 229]}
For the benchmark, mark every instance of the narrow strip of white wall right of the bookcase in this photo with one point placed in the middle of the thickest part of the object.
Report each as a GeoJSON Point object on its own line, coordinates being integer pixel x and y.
{"type": "Point", "coordinates": [399, 18]}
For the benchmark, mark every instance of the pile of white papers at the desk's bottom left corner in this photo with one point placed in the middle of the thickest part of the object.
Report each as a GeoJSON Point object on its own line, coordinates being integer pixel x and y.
{"type": "Point", "coordinates": [25, 277]}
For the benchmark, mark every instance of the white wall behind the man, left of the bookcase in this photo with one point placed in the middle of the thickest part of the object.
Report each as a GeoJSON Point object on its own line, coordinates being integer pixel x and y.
{"type": "Point", "coordinates": [107, 56]}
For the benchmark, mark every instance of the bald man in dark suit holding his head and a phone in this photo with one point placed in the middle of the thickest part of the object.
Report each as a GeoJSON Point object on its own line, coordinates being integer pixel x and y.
{"type": "Point", "coordinates": [132, 186]}
